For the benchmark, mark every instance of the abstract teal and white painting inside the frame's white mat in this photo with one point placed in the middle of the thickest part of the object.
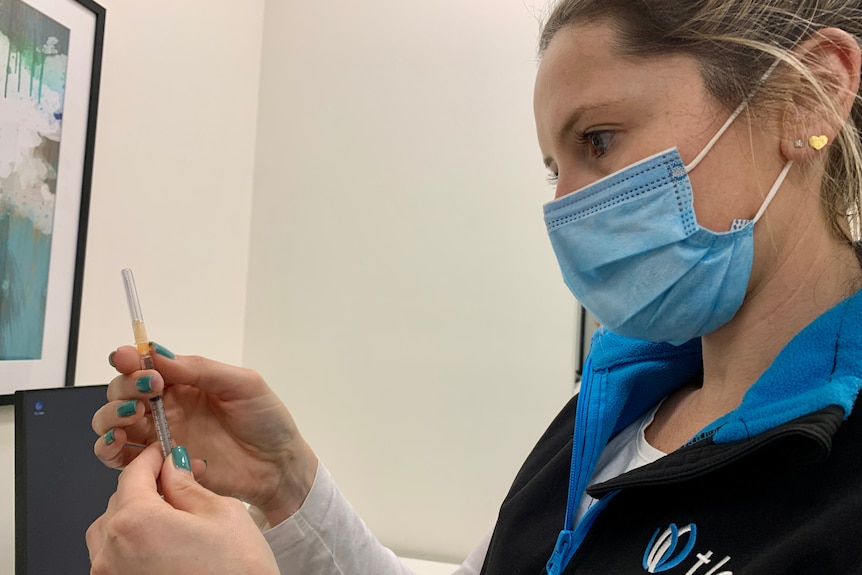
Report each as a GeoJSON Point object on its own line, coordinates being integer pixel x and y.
{"type": "Point", "coordinates": [34, 48]}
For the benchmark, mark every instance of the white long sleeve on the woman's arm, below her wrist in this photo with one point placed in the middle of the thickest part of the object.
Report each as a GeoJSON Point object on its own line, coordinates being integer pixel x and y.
{"type": "Point", "coordinates": [327, 537]}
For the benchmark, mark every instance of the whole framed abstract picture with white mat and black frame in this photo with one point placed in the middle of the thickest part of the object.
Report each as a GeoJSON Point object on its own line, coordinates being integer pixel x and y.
{"type": "Point", "coordinates": [50, 62]}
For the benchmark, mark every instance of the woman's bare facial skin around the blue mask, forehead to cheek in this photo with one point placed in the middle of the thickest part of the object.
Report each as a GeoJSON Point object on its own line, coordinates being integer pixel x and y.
{"type": "Point", "coordinates": [598, 111]}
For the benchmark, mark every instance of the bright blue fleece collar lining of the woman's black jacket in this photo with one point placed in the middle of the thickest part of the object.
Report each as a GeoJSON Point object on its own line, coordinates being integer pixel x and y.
{"type": "Point", "coordinates": [819, 367]}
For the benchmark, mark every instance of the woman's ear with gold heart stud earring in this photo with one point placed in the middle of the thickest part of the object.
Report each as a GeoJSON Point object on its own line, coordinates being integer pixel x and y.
{"type": "Point", "coordinates": [830, 57]}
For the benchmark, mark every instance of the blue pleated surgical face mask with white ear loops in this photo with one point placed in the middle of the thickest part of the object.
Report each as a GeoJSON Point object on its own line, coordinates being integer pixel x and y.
{"type": "Point", "coordinates": [632, 252]}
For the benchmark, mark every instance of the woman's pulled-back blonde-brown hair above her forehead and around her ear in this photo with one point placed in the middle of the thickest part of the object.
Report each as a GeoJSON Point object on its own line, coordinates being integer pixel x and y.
{"type": "Point", "coordinates": [734, 42]}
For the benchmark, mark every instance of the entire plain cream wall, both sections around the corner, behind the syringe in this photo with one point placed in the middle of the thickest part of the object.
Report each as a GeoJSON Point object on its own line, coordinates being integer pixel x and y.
{"type": "Point", "coordinates": [375, 248]}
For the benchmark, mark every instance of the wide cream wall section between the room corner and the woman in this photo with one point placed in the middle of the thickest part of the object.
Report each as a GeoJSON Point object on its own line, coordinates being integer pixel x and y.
{"type": "Point", "coordinates": [403, 297]}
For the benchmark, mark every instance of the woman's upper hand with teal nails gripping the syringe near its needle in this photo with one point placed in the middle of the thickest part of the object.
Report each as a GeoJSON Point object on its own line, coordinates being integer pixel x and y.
{"type": "Point", "coordinates": [244, 441]}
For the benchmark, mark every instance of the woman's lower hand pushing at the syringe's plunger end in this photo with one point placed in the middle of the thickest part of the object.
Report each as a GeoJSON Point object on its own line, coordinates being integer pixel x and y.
{"type": "Point", "coordinates": [191, 531]}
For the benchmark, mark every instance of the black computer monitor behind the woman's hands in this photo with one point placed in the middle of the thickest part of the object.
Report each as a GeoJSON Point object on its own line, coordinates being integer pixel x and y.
{"type": "Point", "coordinates": [60, 486]}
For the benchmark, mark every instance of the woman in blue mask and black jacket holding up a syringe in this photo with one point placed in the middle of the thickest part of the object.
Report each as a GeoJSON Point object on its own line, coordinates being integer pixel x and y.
{"type": "Point", "coordinates": [715, 425]}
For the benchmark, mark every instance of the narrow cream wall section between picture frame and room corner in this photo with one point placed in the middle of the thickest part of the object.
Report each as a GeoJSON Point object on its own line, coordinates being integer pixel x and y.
{"type": "Point", "coordinates": [172, 189]}
